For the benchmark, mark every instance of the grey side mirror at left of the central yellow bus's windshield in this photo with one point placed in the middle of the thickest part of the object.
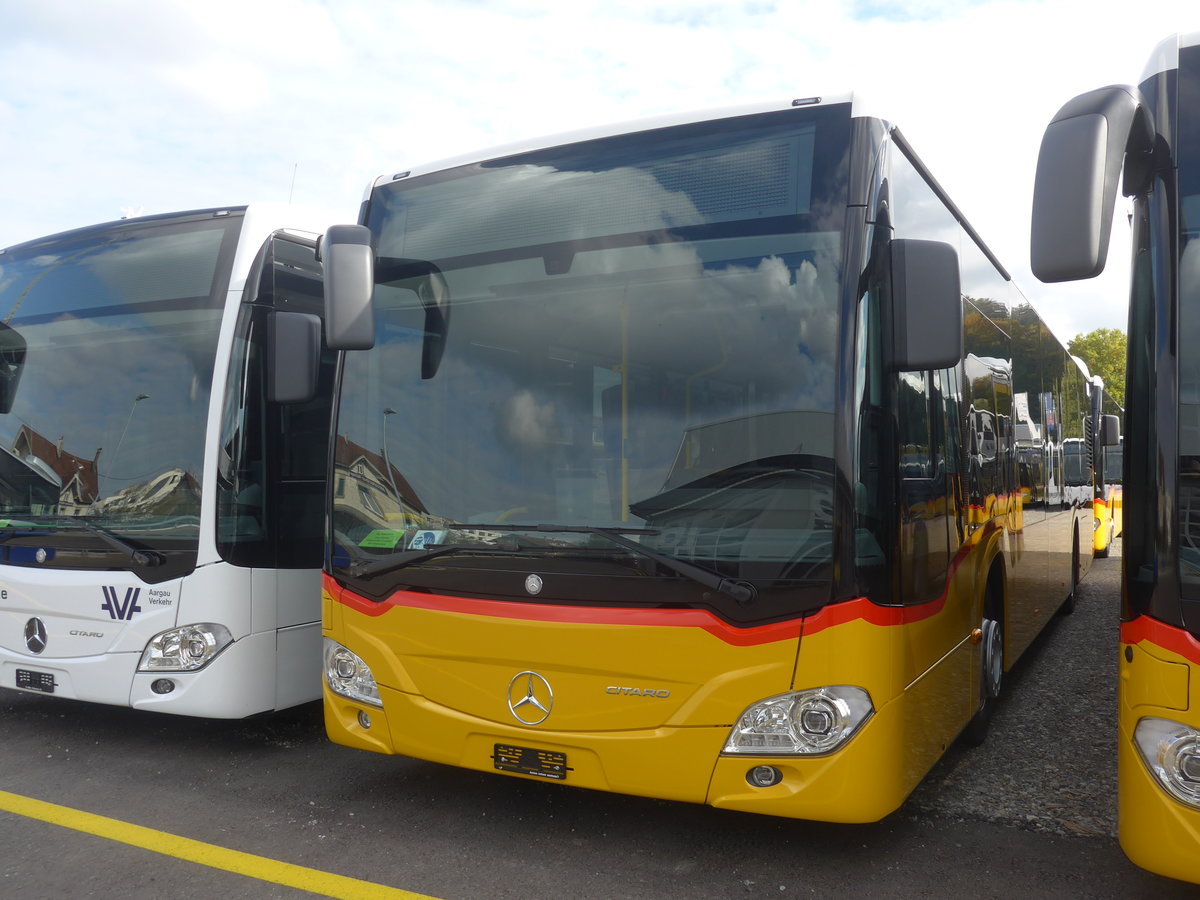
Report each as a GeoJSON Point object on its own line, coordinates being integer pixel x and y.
{"type": "Point", "coordinates": [350, 283]}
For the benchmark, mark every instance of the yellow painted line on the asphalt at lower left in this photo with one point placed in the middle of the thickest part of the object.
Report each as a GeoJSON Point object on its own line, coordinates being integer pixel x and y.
{"type": "Point", "coordinates": [211, 855]}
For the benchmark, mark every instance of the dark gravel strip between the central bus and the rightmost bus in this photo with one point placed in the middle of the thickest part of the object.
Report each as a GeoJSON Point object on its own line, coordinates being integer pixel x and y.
{"type": "Point", "coordinates": [1049, 763]}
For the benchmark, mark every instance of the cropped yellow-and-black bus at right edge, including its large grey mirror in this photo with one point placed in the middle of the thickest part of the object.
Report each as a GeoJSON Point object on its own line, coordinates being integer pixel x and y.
{"type": "Point", "coordinates": [1151, 134]}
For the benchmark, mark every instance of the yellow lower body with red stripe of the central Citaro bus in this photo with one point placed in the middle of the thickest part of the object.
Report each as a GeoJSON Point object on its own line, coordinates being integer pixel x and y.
{"type": "Point", "coordinates": [644, 700]}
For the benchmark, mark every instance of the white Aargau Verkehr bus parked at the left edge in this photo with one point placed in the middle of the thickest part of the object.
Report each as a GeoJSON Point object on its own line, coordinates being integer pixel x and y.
{"type": "Point", "coordinates": [161, 469]}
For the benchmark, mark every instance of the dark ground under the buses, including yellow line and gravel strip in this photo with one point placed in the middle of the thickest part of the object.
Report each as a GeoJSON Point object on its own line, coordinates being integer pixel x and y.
{"type": "Point", "coordinates": [99, 802]}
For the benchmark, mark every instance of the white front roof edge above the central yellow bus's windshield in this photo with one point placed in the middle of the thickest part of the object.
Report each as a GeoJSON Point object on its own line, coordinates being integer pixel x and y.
{"type": "Point", "coordinates": [628, 128]}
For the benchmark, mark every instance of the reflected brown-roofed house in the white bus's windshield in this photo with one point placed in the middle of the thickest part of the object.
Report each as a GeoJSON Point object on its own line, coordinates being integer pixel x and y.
{"type": "Point", "coordinates": [38, 475]}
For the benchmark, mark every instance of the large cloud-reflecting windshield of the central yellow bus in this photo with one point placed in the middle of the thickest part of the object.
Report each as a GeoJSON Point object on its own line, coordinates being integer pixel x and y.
{"type": "Point", "coordinates": [635, 334]}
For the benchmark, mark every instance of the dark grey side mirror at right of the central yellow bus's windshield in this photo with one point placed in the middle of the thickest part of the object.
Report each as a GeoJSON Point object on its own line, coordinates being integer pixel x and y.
{"type": "Point", "coordinates": [927, 307]}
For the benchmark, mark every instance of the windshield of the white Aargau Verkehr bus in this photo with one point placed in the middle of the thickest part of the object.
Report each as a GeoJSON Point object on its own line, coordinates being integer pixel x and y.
{"type": "Point", "coordinates": [119, 326]}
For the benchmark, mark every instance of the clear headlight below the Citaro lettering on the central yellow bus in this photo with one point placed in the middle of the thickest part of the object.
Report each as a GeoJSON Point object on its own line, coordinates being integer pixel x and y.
{"type": "Point", "coordinates": [803, 724]}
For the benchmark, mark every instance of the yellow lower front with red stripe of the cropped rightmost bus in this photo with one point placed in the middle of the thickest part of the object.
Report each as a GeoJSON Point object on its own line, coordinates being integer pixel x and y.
{"type": "Point", "coordinates": [1161, 679]}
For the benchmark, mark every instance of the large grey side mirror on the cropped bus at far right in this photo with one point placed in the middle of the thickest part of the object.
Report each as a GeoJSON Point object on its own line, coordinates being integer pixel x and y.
{"type": "Point", "coordinates": [1083, 153]}
